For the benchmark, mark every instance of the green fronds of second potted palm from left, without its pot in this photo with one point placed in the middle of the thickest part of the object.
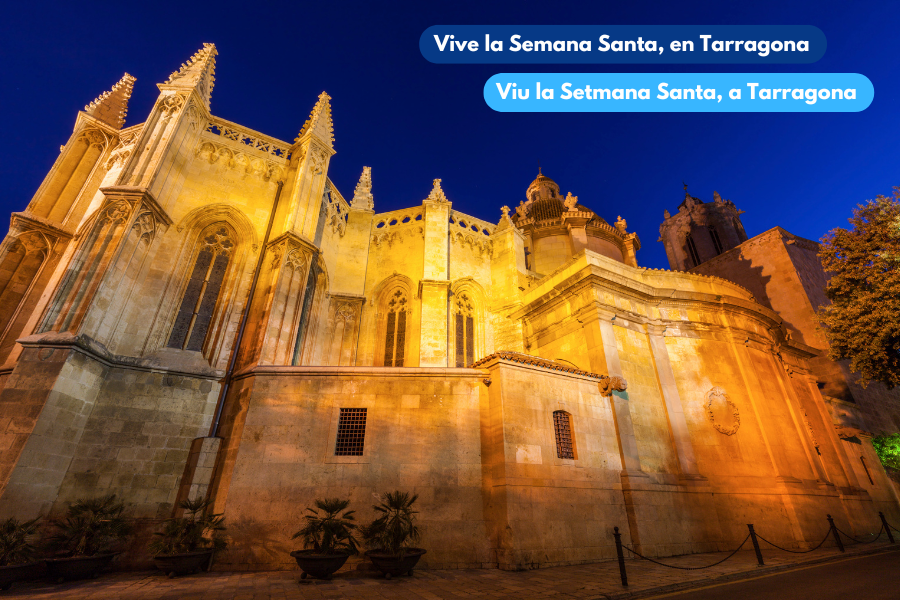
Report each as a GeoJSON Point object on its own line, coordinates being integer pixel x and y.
{"type": "Point", "coordinates": [90, 527]}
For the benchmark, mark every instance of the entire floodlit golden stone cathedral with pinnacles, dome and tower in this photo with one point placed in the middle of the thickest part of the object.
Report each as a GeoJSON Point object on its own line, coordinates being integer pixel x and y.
{"type": "Point", "coordinates": [192, 308]}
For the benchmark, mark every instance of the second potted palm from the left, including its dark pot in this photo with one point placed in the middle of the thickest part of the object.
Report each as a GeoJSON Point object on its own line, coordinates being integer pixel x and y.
{"type": "Point", "coordinates": [85, 540]}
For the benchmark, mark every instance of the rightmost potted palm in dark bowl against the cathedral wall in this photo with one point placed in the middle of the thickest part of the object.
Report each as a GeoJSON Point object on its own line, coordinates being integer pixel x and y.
{"type": "Point", "coordinates": [389, 535]}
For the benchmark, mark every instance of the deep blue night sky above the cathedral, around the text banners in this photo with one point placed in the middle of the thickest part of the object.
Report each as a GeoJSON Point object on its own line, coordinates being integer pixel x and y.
{"type": "Point", "coordinates": [412, 121]}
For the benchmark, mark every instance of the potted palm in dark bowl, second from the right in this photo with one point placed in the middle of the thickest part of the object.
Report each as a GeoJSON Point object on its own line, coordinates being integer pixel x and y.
{"type": "Point", "coordinates": [327, 538]}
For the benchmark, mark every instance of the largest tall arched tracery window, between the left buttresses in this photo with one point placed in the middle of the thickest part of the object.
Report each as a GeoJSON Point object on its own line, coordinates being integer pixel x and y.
{"type": "Point", "coordinates": [202, 292]}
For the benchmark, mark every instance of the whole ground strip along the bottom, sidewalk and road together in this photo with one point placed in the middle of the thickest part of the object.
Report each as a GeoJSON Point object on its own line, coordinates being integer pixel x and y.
{"type": "Point", "coordinates": [826, 573]}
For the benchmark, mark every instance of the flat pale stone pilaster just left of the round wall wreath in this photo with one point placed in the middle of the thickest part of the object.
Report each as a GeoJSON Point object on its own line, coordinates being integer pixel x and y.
{"type": "Point", "coordinates": [674, 409]}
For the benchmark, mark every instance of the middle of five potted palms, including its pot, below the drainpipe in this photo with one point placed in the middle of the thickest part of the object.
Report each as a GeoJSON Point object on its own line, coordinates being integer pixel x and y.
{"type": "Point", "coordinates": [187, 543]}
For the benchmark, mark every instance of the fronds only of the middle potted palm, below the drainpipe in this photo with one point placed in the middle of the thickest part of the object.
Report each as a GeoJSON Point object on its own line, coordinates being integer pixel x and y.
{"type": "Point", "coordinates": [198, 529]}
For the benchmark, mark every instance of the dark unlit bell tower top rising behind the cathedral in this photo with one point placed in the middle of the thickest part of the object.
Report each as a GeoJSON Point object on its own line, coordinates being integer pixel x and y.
{"type": "Point", "coordinates": [700, 231]}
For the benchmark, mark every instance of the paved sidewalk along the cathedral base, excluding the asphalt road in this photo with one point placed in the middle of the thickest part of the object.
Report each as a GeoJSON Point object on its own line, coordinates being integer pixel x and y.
{"type": "Point", "coordinates": [599, 580]}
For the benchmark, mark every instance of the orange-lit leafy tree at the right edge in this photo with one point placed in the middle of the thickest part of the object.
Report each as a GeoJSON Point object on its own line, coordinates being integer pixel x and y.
{"type": "Point", "coordinates": [863, 321]}
